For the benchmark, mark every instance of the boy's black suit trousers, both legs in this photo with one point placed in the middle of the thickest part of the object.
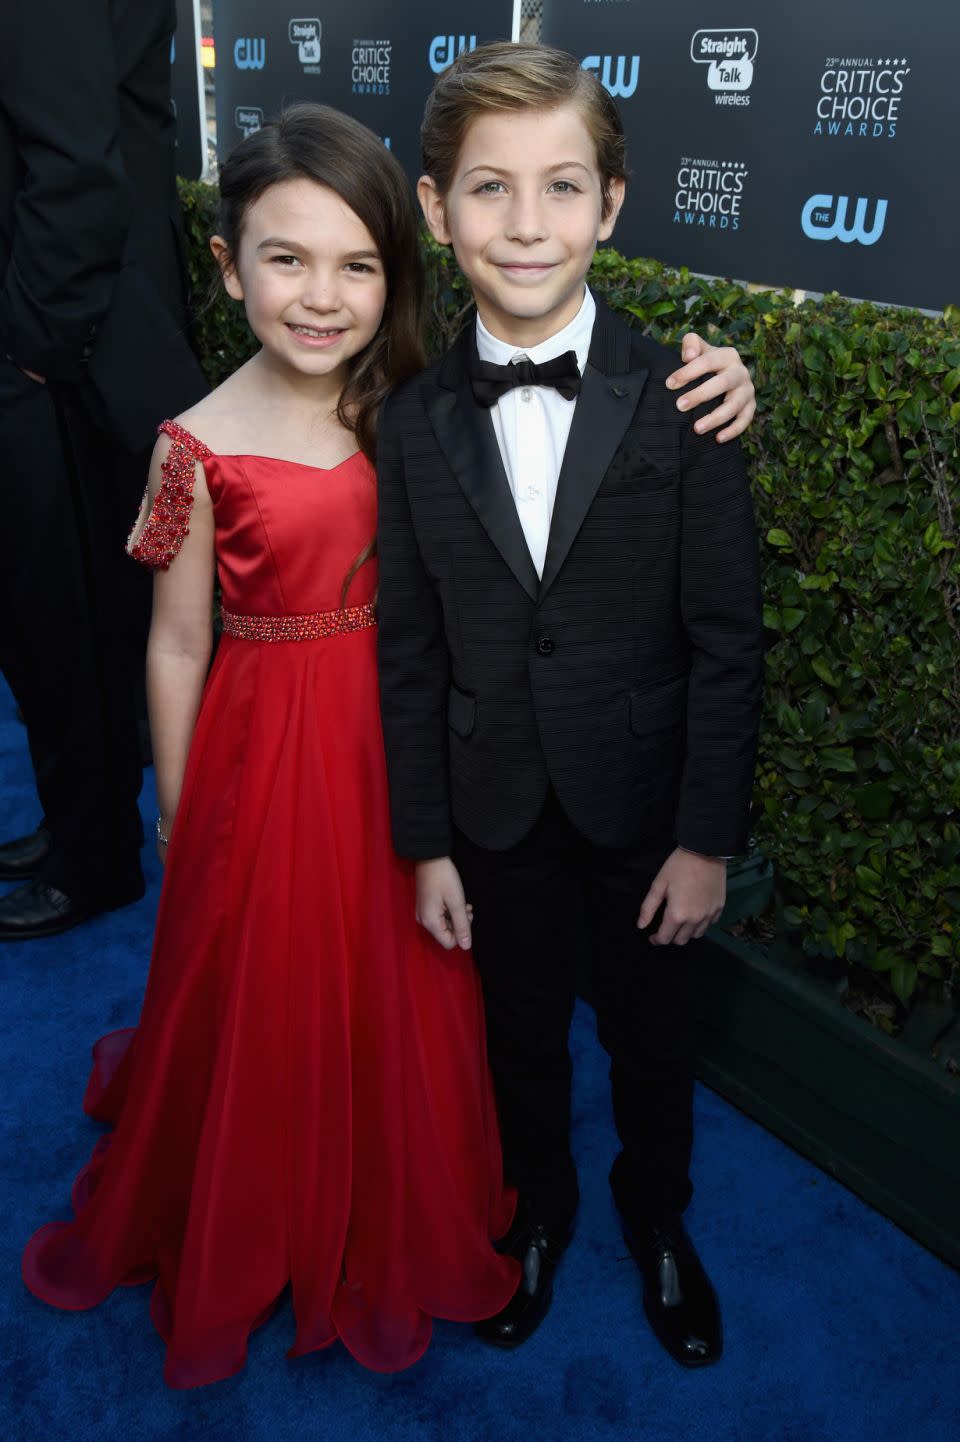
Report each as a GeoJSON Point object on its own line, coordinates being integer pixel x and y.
{"type": "Point", "coordinates": [538, 906]}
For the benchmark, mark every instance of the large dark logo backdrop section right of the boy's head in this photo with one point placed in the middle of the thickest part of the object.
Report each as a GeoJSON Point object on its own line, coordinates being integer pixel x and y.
{"type": "Point", "coordinates": [811, 146]}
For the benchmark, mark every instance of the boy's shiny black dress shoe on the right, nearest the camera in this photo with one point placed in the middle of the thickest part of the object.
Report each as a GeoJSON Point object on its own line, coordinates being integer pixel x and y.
{"type": "Point", "coordinates": [678, 1297]}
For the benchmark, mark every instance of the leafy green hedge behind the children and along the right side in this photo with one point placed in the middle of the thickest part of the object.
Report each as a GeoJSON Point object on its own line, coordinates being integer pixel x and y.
{"type": "Point", "coordinates": [857, 472]}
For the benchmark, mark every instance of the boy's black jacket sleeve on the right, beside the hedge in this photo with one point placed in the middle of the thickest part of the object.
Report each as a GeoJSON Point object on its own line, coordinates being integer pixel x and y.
{"type": "Point", "coordinates": [720, 596]}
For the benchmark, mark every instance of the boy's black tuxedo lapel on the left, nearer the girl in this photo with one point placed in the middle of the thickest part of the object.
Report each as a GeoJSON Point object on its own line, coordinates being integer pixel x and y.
{"type": "Point", "coordinates": [466, 436]}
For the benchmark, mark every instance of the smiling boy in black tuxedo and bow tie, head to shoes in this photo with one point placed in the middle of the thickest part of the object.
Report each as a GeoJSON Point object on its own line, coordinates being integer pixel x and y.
{"type": "Point", "coordinates": [572, 653]}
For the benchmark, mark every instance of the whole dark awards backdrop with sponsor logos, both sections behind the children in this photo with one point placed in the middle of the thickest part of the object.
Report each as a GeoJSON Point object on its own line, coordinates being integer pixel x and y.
{"type": "Point", "coordinates": [806, 145]}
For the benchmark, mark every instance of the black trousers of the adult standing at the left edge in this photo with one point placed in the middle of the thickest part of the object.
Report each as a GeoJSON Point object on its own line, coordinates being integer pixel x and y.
{"type": "Point", "coordinates": [73, 625]}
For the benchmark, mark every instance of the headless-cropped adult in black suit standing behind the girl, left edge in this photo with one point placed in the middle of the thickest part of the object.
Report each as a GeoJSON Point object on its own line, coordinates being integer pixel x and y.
{"type": "Point", "coordinates": [93, 357]}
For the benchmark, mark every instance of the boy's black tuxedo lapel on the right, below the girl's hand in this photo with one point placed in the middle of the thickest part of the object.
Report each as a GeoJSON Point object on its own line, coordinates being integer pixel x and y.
{"type": "Point", "coordinates": [609, 397]}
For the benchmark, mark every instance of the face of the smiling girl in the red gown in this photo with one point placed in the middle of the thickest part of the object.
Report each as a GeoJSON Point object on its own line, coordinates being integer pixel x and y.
{"type": "Point", "coordinates": [311, 278]}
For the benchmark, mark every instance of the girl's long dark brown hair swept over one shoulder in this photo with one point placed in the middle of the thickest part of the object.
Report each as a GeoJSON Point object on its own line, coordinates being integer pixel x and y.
{"type": "Point", "coordinates": [321, 143]}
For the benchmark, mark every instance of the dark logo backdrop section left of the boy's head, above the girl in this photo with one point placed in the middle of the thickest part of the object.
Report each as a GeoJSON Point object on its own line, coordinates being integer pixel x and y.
{"type": "Point", "coordinates": [371, 58]}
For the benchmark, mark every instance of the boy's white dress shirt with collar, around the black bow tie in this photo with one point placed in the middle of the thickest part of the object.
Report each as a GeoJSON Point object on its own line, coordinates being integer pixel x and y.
{"type": "Point", "coordinates": [533, 425]}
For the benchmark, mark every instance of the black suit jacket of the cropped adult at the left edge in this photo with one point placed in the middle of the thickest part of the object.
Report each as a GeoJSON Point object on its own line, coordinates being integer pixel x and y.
{"type": "Point", "coordinates": [92, 266]}
